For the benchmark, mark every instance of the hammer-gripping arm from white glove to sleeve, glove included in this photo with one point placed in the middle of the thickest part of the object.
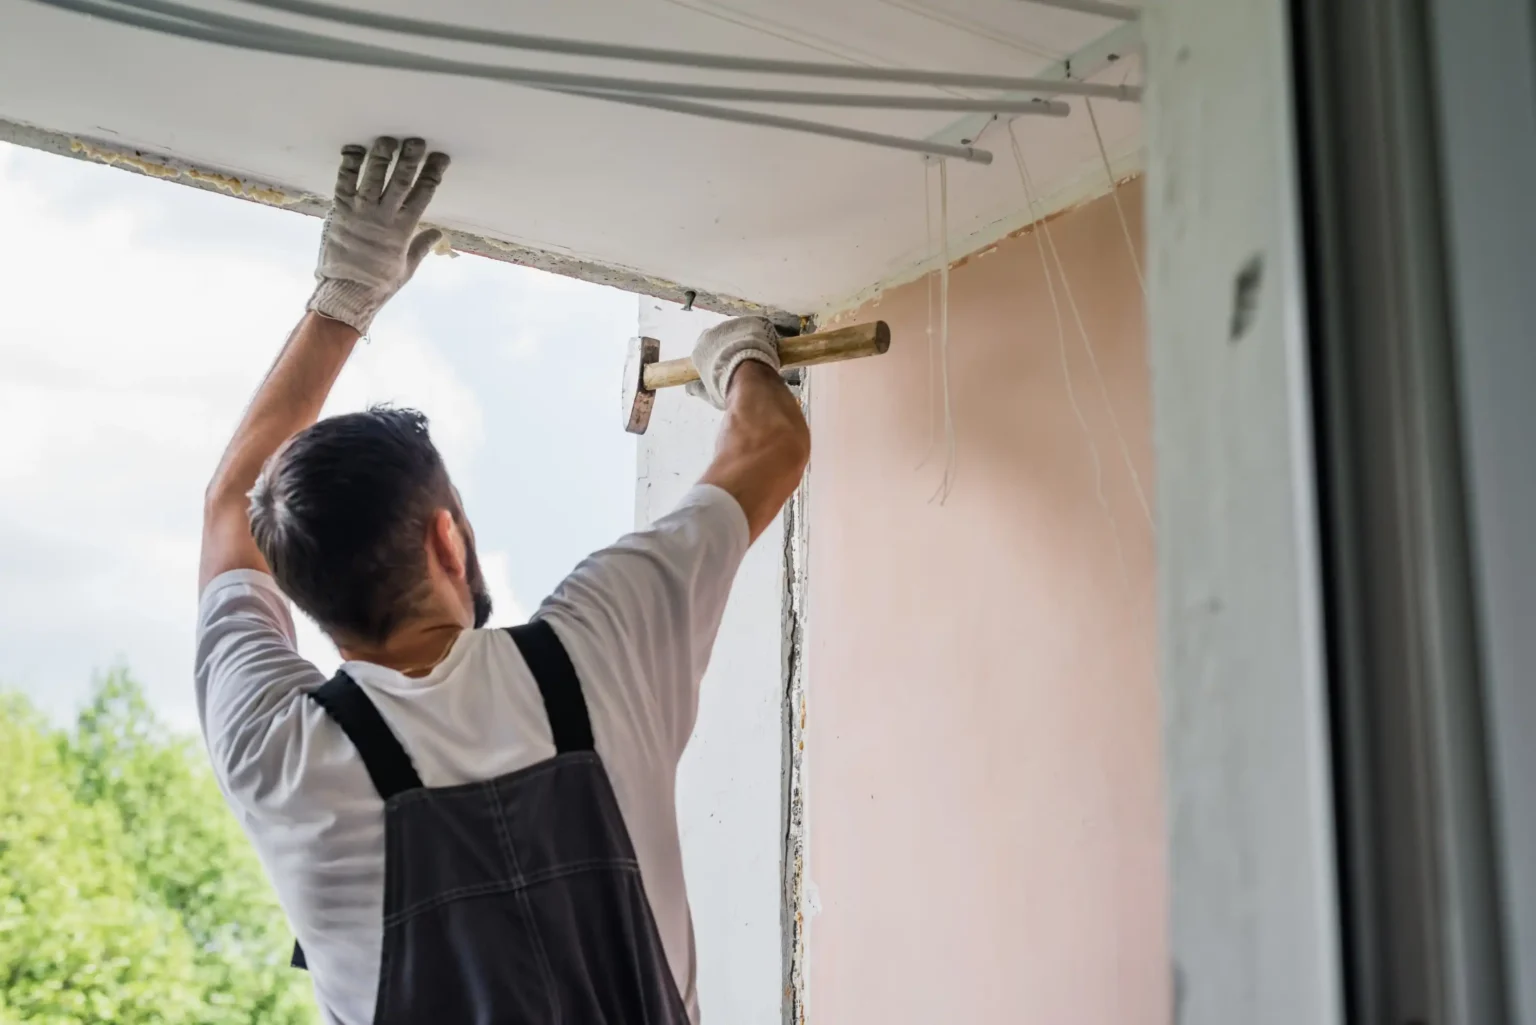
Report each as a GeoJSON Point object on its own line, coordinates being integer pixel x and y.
{"type": "Point", "coordinates": [764, 443]}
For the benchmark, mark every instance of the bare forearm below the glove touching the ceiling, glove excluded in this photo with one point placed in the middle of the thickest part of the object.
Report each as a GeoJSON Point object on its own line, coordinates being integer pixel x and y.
{"type": "Point", "coordinates": [290, 400]}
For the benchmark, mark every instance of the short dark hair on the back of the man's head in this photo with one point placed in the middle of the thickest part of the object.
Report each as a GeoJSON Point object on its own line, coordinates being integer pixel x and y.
{"type": "Point", "coordinates": [342, 516]}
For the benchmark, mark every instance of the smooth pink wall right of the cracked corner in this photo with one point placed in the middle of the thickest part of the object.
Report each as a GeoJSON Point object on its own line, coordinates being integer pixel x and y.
{"type": "Point", "coordinates": [982, 734]}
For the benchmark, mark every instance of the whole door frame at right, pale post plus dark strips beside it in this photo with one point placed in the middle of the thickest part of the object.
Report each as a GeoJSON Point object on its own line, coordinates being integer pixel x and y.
{"type": "Point", "coordinates": [1342, 304]}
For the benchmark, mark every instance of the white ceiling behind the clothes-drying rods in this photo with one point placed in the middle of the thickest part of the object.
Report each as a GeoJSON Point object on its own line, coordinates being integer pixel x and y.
{"type": "Point", "coordinates": [650, 201]}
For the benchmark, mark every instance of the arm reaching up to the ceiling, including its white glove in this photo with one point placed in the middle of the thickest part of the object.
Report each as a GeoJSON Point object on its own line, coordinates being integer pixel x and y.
{"type": "Point", "coordinates": [369, 250]}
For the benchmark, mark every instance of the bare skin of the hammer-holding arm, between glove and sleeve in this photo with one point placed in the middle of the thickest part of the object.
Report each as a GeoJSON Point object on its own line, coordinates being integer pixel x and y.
{"type": "Point", "coordinates": [764, 445]}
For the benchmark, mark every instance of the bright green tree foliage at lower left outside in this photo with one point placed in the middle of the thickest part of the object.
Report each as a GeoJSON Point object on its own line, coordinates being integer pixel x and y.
{"type": "Point", "coordinates": [128, 892]}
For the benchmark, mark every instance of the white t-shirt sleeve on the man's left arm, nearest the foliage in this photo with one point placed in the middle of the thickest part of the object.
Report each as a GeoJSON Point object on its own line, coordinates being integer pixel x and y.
{"type": "Point", "coordinates": [251, 683]}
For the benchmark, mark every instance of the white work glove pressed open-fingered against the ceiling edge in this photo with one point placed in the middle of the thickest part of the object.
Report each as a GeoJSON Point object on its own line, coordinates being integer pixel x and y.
{"type": "Point", "coordinates": [369, 247]}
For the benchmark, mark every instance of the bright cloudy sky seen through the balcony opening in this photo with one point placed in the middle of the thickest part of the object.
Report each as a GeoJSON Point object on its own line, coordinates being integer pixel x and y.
{"type": "Point", "coordinates": [139, 316]}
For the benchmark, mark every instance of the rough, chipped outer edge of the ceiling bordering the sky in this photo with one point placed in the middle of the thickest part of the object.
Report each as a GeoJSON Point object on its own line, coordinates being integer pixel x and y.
{"type": "Point", "coordinates": [251, 190]}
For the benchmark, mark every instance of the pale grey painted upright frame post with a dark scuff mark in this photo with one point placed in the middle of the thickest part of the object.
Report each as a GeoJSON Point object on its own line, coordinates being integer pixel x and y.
{"type": "Point", "coordinates": [1254, 909]}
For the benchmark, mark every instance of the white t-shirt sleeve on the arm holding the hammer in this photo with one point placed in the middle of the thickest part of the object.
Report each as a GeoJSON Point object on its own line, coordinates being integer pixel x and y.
{"type": "Point", "coordinates": [640, 617]}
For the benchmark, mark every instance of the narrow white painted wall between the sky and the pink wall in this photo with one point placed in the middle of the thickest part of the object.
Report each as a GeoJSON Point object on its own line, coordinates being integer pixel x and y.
{"type": "Point", "coordinates": [729, 785]}
